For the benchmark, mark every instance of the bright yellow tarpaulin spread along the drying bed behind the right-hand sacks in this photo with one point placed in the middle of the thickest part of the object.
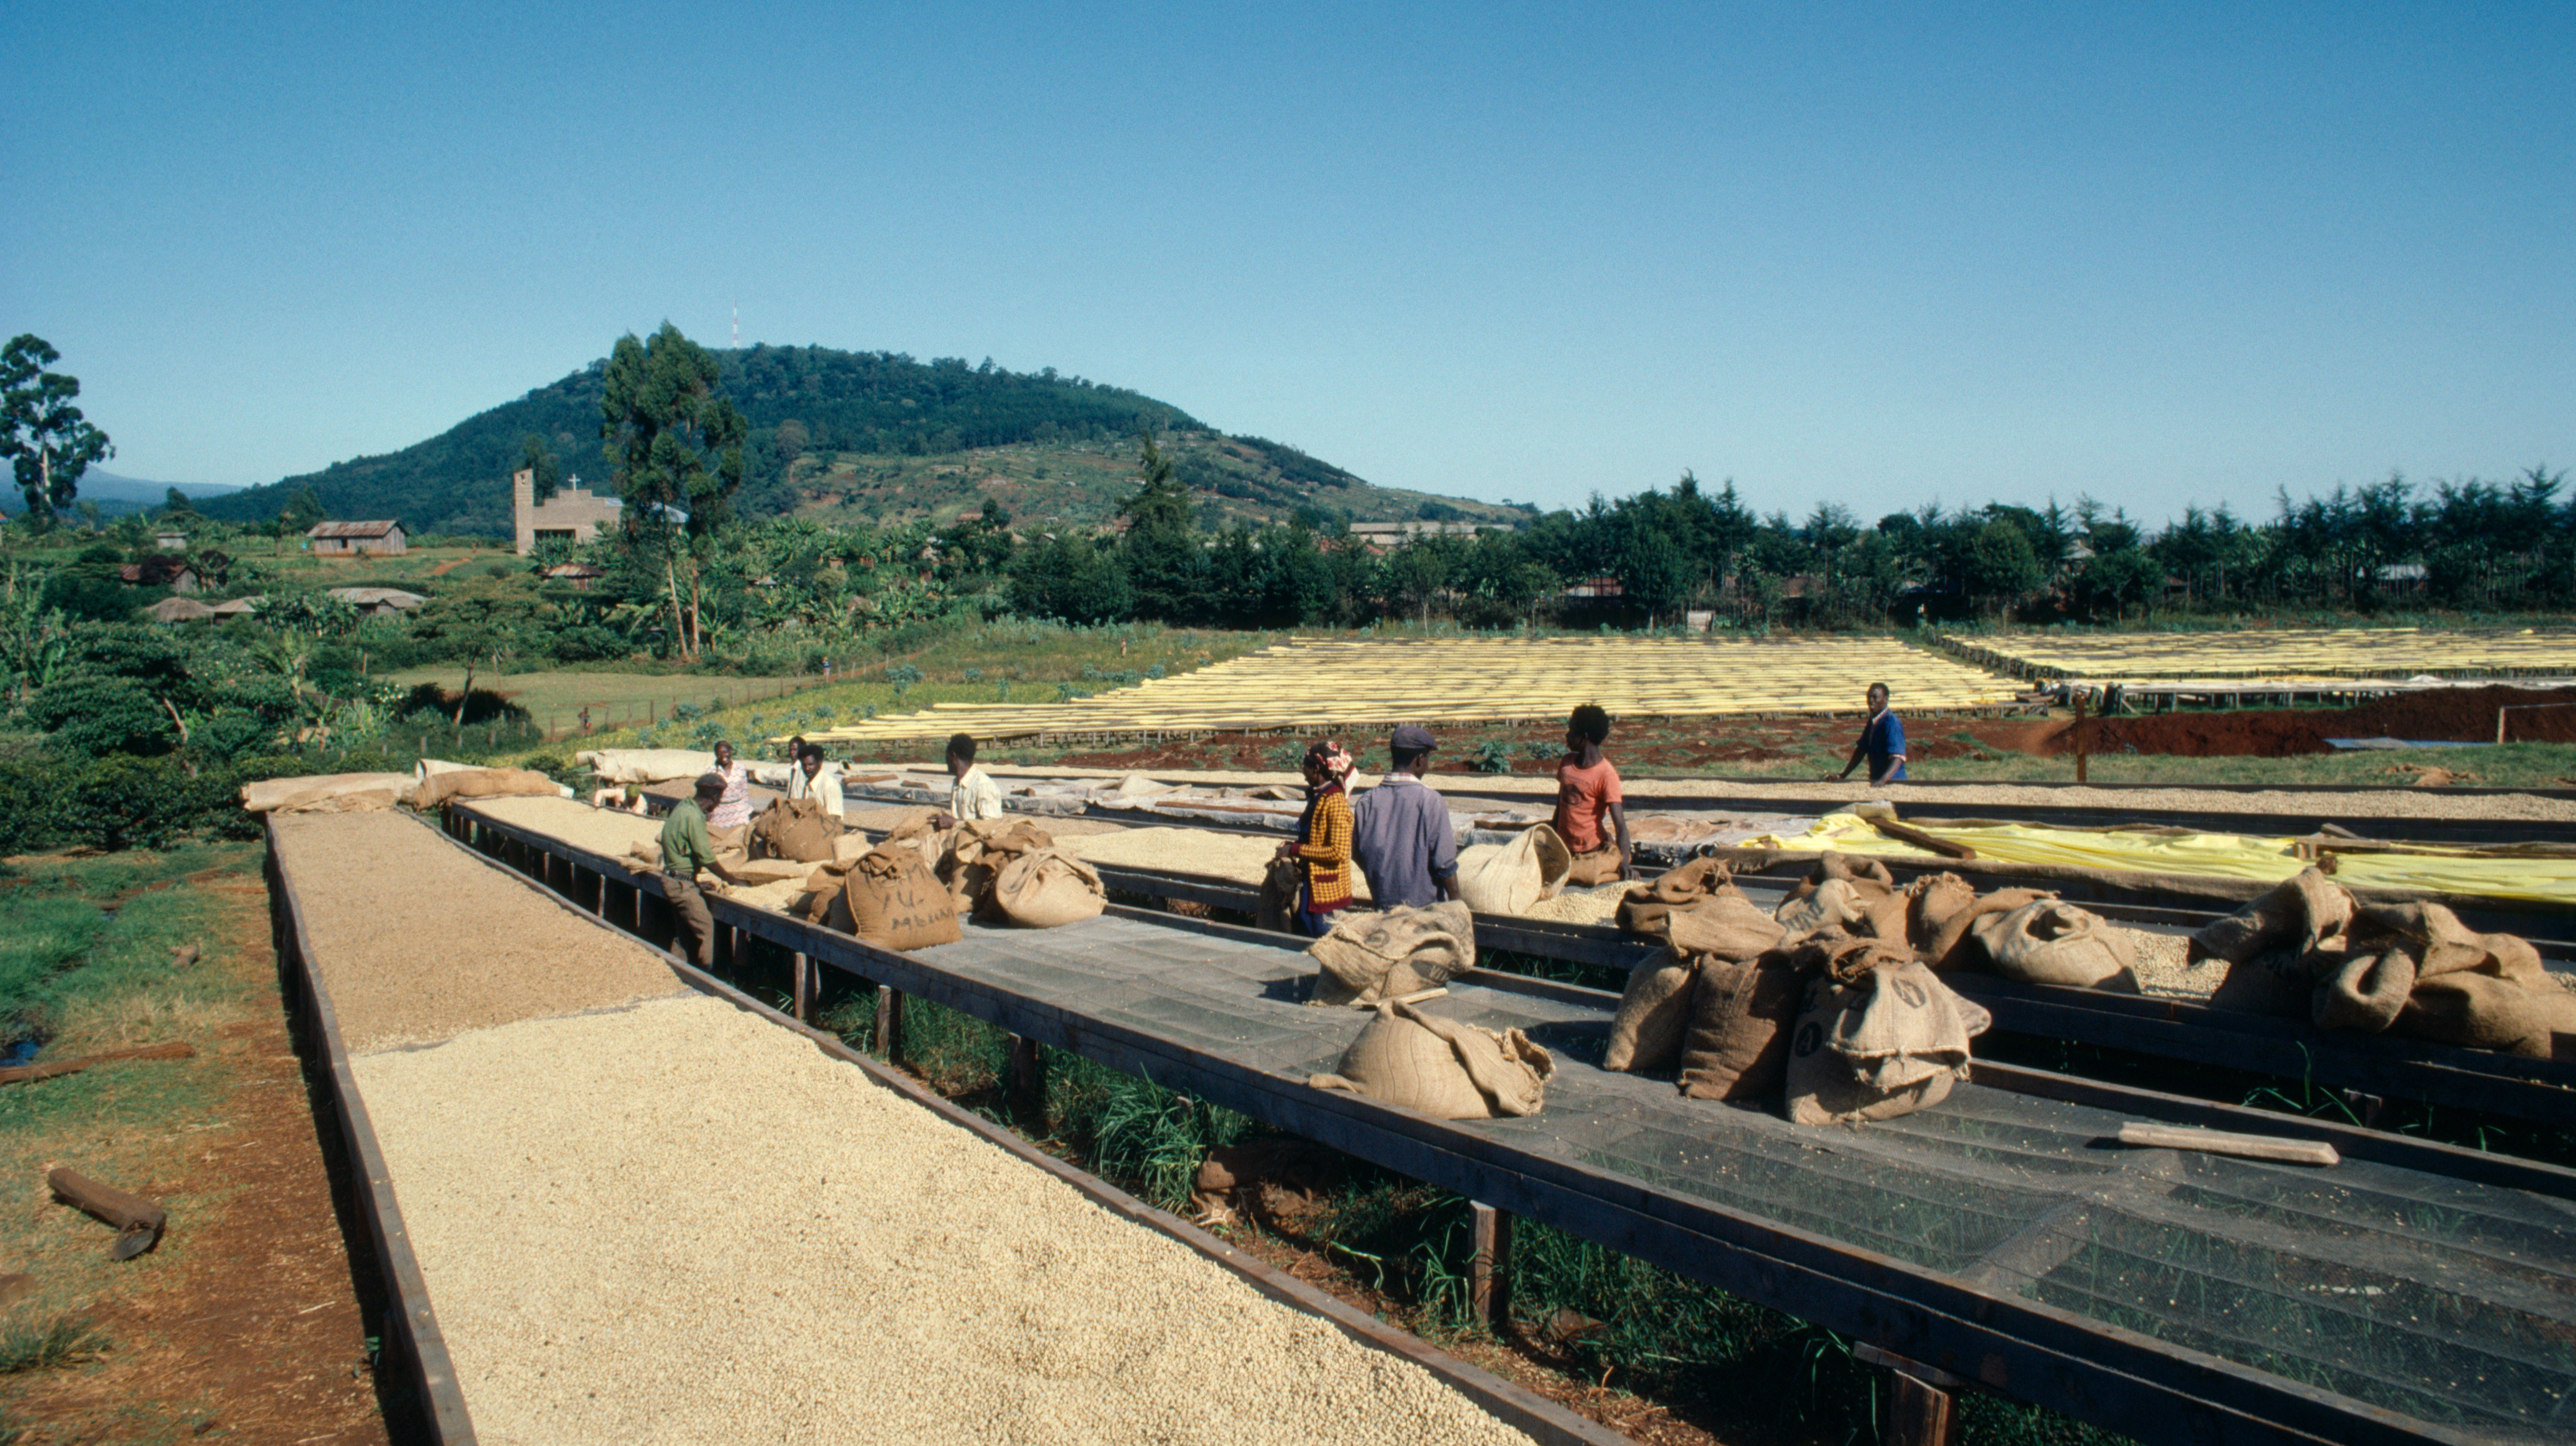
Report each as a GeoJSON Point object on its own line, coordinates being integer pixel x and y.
{"type": "Point", "coordinates": [2204, 854]}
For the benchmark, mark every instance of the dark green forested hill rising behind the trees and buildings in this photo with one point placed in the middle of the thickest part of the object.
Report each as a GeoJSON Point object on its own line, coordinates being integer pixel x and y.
{"type": "Point", "coordinates": [862, 437]}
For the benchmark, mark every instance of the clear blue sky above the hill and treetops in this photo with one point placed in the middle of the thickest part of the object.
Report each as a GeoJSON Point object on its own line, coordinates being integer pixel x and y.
{"type": "Point", "coordinates": [1859, 254]}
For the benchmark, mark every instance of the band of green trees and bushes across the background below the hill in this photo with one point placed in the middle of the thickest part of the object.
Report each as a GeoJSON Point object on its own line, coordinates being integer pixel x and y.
{"type": "Point", "coordinates": [94, 692]}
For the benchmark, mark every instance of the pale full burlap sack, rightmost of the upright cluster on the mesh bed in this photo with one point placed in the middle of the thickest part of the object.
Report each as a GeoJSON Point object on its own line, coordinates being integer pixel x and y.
{"type": "Point", "coordinates": [1879, 1048]}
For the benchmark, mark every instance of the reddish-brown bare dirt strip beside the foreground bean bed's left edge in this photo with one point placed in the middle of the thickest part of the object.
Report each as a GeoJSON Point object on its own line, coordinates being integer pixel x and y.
{"type": "Point", "coordinates": [259, 1336]}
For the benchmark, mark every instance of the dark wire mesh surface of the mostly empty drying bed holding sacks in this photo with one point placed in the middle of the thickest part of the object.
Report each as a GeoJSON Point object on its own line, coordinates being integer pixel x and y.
{"type": "Point", "coordinates": [2441, 1300]}
